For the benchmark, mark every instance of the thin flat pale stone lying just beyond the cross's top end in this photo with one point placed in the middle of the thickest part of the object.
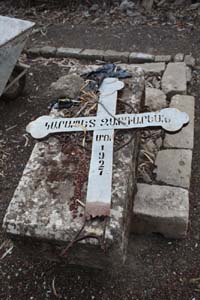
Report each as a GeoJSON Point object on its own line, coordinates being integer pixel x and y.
{"type": "Point", "coordinates": [148, 68]}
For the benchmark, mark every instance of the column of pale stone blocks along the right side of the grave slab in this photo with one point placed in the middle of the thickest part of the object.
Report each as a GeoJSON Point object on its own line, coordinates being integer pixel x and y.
{"type": "Point", "coordinates": [162, 201]}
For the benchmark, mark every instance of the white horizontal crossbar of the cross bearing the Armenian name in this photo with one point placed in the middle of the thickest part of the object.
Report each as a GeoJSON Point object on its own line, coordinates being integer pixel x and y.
{"type": "Point", "coordinates": [170, 119]}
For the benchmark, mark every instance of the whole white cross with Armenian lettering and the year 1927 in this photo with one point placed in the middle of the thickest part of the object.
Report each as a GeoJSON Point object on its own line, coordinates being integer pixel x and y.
{"type": "Point", "coordinates": [100, 174]}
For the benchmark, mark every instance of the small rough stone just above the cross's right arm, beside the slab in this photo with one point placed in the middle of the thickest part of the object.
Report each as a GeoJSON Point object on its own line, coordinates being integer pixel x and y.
{"type": "Point", "coordinates": [155, 99]}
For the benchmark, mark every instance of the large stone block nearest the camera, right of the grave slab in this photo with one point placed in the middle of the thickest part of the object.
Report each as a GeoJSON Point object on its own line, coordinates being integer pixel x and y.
{"type": "Point", "coordinates": [161, 209]}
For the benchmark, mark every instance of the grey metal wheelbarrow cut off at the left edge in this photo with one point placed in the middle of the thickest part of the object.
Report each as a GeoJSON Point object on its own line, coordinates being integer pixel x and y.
{"type": "Point", "coordinates": [13, 35]}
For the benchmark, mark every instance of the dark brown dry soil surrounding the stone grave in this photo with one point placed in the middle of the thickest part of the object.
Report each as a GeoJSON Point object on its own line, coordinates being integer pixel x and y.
{"type": "Point", "coordinates": [156, 268]}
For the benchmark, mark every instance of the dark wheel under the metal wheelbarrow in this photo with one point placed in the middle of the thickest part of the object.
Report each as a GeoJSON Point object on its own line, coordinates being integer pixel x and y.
{"type": "Point", "coordinates": [17, 88]}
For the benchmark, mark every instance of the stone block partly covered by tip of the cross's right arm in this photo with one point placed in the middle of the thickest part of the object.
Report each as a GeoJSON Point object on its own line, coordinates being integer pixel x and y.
{"type": "Point", "coordinates": [185, 137]}
